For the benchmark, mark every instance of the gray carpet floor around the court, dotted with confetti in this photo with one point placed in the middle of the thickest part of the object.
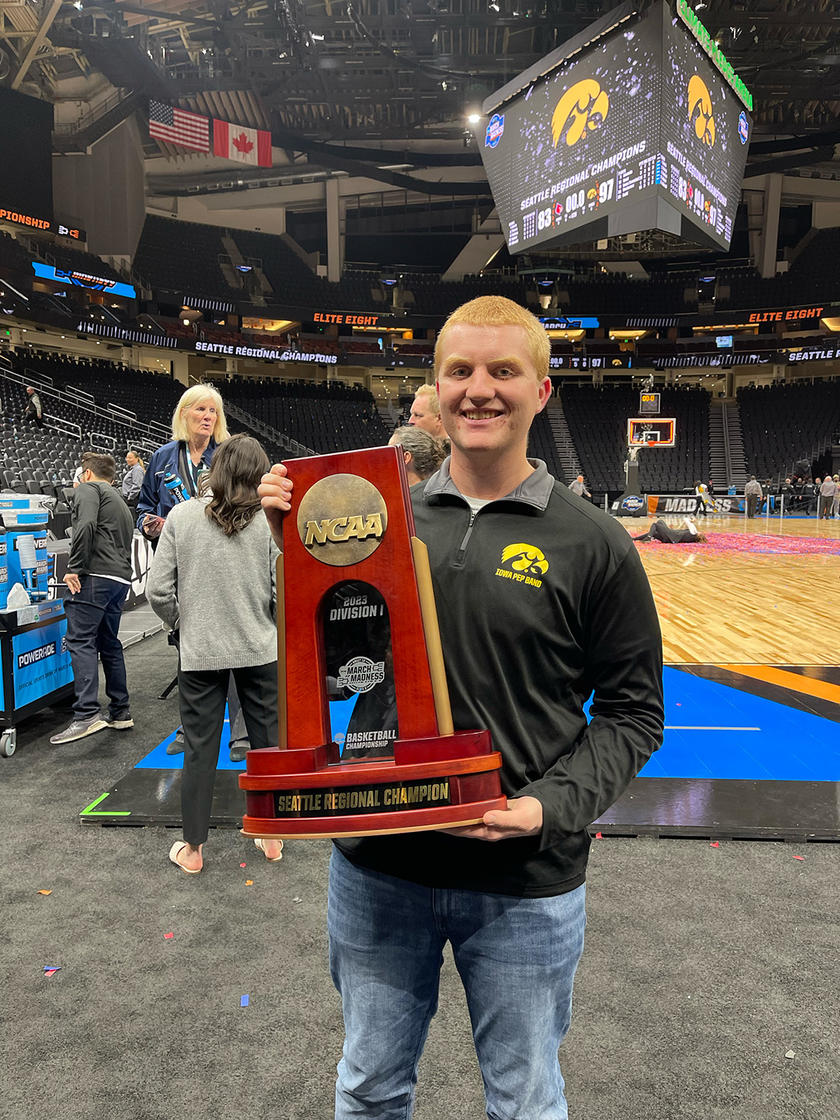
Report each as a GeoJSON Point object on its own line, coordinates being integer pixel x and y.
{"type": "Point", "coordinates": [705, 967]}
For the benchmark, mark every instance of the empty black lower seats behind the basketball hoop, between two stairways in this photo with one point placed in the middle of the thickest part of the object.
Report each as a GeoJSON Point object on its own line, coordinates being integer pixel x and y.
{"type": "Point", "coordinates": [598, 419]}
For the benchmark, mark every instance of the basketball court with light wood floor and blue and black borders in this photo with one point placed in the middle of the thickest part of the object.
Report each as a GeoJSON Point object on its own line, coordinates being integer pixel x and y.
{"type": "Point", "coordinates": [752, 750]}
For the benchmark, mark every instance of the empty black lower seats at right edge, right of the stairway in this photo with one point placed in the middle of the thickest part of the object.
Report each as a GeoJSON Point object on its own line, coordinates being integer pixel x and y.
{"type": "Point", "coordinates": [785, 424]}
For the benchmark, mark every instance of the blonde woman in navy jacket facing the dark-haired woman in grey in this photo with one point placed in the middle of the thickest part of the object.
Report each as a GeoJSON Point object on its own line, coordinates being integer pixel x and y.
{"type": "Point", "coordinates": [172, 478]}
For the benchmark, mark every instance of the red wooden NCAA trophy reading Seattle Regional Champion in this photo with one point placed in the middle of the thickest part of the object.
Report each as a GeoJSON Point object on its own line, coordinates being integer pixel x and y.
{"type": "Point", "coordinates": [367, 741]}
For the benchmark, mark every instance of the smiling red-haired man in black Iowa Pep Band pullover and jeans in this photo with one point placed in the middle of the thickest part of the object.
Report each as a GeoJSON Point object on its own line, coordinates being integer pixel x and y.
{"type": "Point", "coordinates": [542, 602]}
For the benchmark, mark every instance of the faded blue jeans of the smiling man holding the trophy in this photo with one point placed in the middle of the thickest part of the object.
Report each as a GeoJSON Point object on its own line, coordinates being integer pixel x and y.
{"type": "Point", "coordinates": [517, 959]}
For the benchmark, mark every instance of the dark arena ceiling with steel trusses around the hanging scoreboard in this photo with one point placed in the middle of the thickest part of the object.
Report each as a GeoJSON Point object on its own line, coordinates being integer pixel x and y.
{"type": "Point", "coordinates": [400, 74]}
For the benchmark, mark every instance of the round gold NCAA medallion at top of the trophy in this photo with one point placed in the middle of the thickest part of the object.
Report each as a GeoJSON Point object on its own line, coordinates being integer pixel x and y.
{"type": "Point", "coordinates": [342, 520]}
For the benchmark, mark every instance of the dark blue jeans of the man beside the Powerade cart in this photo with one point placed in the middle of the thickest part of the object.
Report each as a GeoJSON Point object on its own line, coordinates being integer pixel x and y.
{"type": "Point", "coordinates": [94, 626]}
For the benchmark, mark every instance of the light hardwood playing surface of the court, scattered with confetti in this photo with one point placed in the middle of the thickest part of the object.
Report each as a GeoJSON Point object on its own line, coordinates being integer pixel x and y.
{"type": "Point", "coordinates": [722, 606]}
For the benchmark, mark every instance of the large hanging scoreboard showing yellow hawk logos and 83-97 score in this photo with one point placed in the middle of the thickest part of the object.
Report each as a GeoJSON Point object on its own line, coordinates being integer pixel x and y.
{"type": "Point", "coordinates": [638, 124]}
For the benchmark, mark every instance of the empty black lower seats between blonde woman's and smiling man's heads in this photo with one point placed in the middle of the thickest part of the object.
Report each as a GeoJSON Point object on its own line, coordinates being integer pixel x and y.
{"type": "Point", "coordinates": [326, 418]}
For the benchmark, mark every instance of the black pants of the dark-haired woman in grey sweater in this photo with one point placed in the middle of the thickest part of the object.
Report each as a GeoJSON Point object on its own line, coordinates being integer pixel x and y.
{"type": "Point", "coordinates": [203, 697]}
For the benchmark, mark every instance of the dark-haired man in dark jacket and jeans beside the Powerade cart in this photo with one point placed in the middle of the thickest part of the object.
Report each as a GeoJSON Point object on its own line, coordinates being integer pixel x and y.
{"type": "Point", "coordinates": [99, 576]}
